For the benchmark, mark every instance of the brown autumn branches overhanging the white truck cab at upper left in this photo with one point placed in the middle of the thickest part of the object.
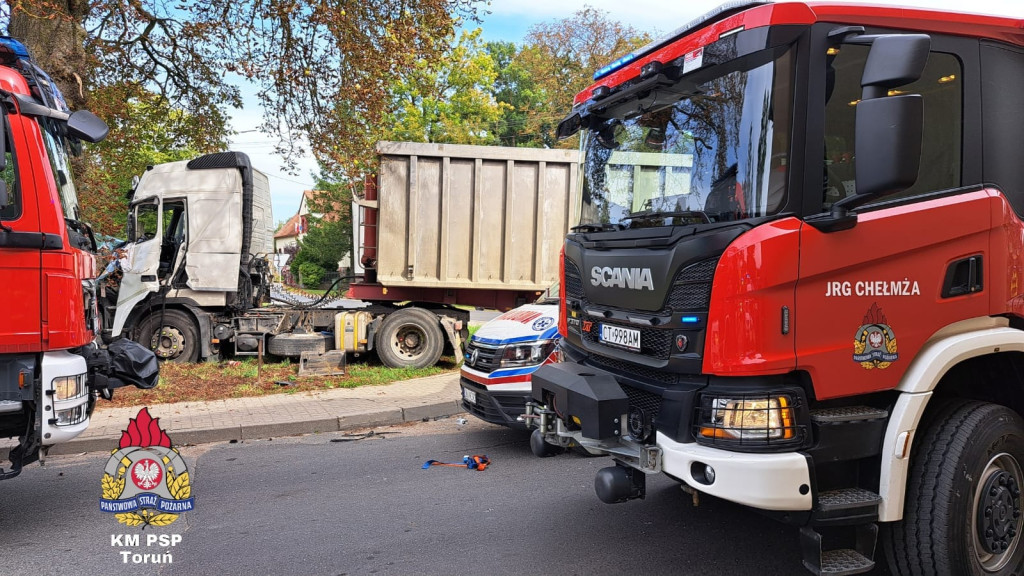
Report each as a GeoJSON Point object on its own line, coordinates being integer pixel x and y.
{"type": "Point", "coordinates": [323, 67]}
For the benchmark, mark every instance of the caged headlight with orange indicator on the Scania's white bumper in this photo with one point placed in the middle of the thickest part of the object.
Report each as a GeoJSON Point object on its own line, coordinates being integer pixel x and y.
{"type": "Point", "coordinates": [749, 420]}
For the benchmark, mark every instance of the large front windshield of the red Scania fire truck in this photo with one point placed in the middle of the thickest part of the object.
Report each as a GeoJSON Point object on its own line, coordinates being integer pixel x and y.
{"type": "Point", "coordinates": [718, 155]}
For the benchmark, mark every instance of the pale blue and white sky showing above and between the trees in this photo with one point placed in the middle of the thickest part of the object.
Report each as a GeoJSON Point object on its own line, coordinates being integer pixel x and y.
{"type": "Point", "coordinates": [510, 21]}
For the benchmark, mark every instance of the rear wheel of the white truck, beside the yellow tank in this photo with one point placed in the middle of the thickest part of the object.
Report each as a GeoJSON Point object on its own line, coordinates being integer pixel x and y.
{"type": "Point", "coordinates": [410, 339]}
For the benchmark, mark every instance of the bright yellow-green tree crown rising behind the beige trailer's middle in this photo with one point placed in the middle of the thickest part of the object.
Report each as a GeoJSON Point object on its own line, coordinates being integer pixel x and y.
{"type": "Point", "coordinates": [449, 100]}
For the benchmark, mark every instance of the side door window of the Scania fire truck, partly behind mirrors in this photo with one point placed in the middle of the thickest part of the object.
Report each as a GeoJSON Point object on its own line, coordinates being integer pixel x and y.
{"type": "Point", "coordinates": [942, 89]}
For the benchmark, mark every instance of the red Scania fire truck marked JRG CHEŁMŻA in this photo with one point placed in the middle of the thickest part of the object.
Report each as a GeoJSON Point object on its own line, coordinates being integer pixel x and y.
{"type": "Point", "coordinates": [798, 279]}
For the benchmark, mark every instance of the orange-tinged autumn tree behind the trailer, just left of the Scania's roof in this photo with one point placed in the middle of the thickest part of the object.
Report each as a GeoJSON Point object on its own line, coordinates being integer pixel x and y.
{"type": "Point", "coordinates": [561, 58]}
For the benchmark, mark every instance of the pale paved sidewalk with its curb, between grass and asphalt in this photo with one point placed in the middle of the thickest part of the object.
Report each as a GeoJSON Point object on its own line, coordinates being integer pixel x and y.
{"type": "Point", "coordinates": [280, 415]}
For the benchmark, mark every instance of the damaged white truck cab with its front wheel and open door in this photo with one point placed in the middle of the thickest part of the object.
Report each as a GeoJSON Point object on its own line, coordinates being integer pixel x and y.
{"type": "Point", "coordinates": [199, 233]}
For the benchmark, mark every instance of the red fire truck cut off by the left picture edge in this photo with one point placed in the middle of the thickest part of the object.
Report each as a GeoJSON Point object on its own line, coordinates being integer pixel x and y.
{"type": "Point", "coordinates": [52, 368]}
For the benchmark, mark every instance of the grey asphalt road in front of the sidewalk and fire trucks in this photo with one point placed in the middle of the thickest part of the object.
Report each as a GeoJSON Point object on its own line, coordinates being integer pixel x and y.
{"type": "Point", "coordinates": [315, 506]}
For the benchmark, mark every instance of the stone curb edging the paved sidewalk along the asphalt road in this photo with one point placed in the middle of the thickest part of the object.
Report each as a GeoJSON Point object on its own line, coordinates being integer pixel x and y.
{"type": "Point", "coordinates": [276, 430]}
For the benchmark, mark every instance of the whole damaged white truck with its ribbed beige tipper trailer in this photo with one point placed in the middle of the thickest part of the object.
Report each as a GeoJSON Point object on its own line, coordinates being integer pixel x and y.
{"type": "Point", "coordinates": [441, 229]}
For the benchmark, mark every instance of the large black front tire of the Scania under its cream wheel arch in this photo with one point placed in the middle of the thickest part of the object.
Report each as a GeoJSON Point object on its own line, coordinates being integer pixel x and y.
{"type": "Point", "coordinates": [965, 480]}
